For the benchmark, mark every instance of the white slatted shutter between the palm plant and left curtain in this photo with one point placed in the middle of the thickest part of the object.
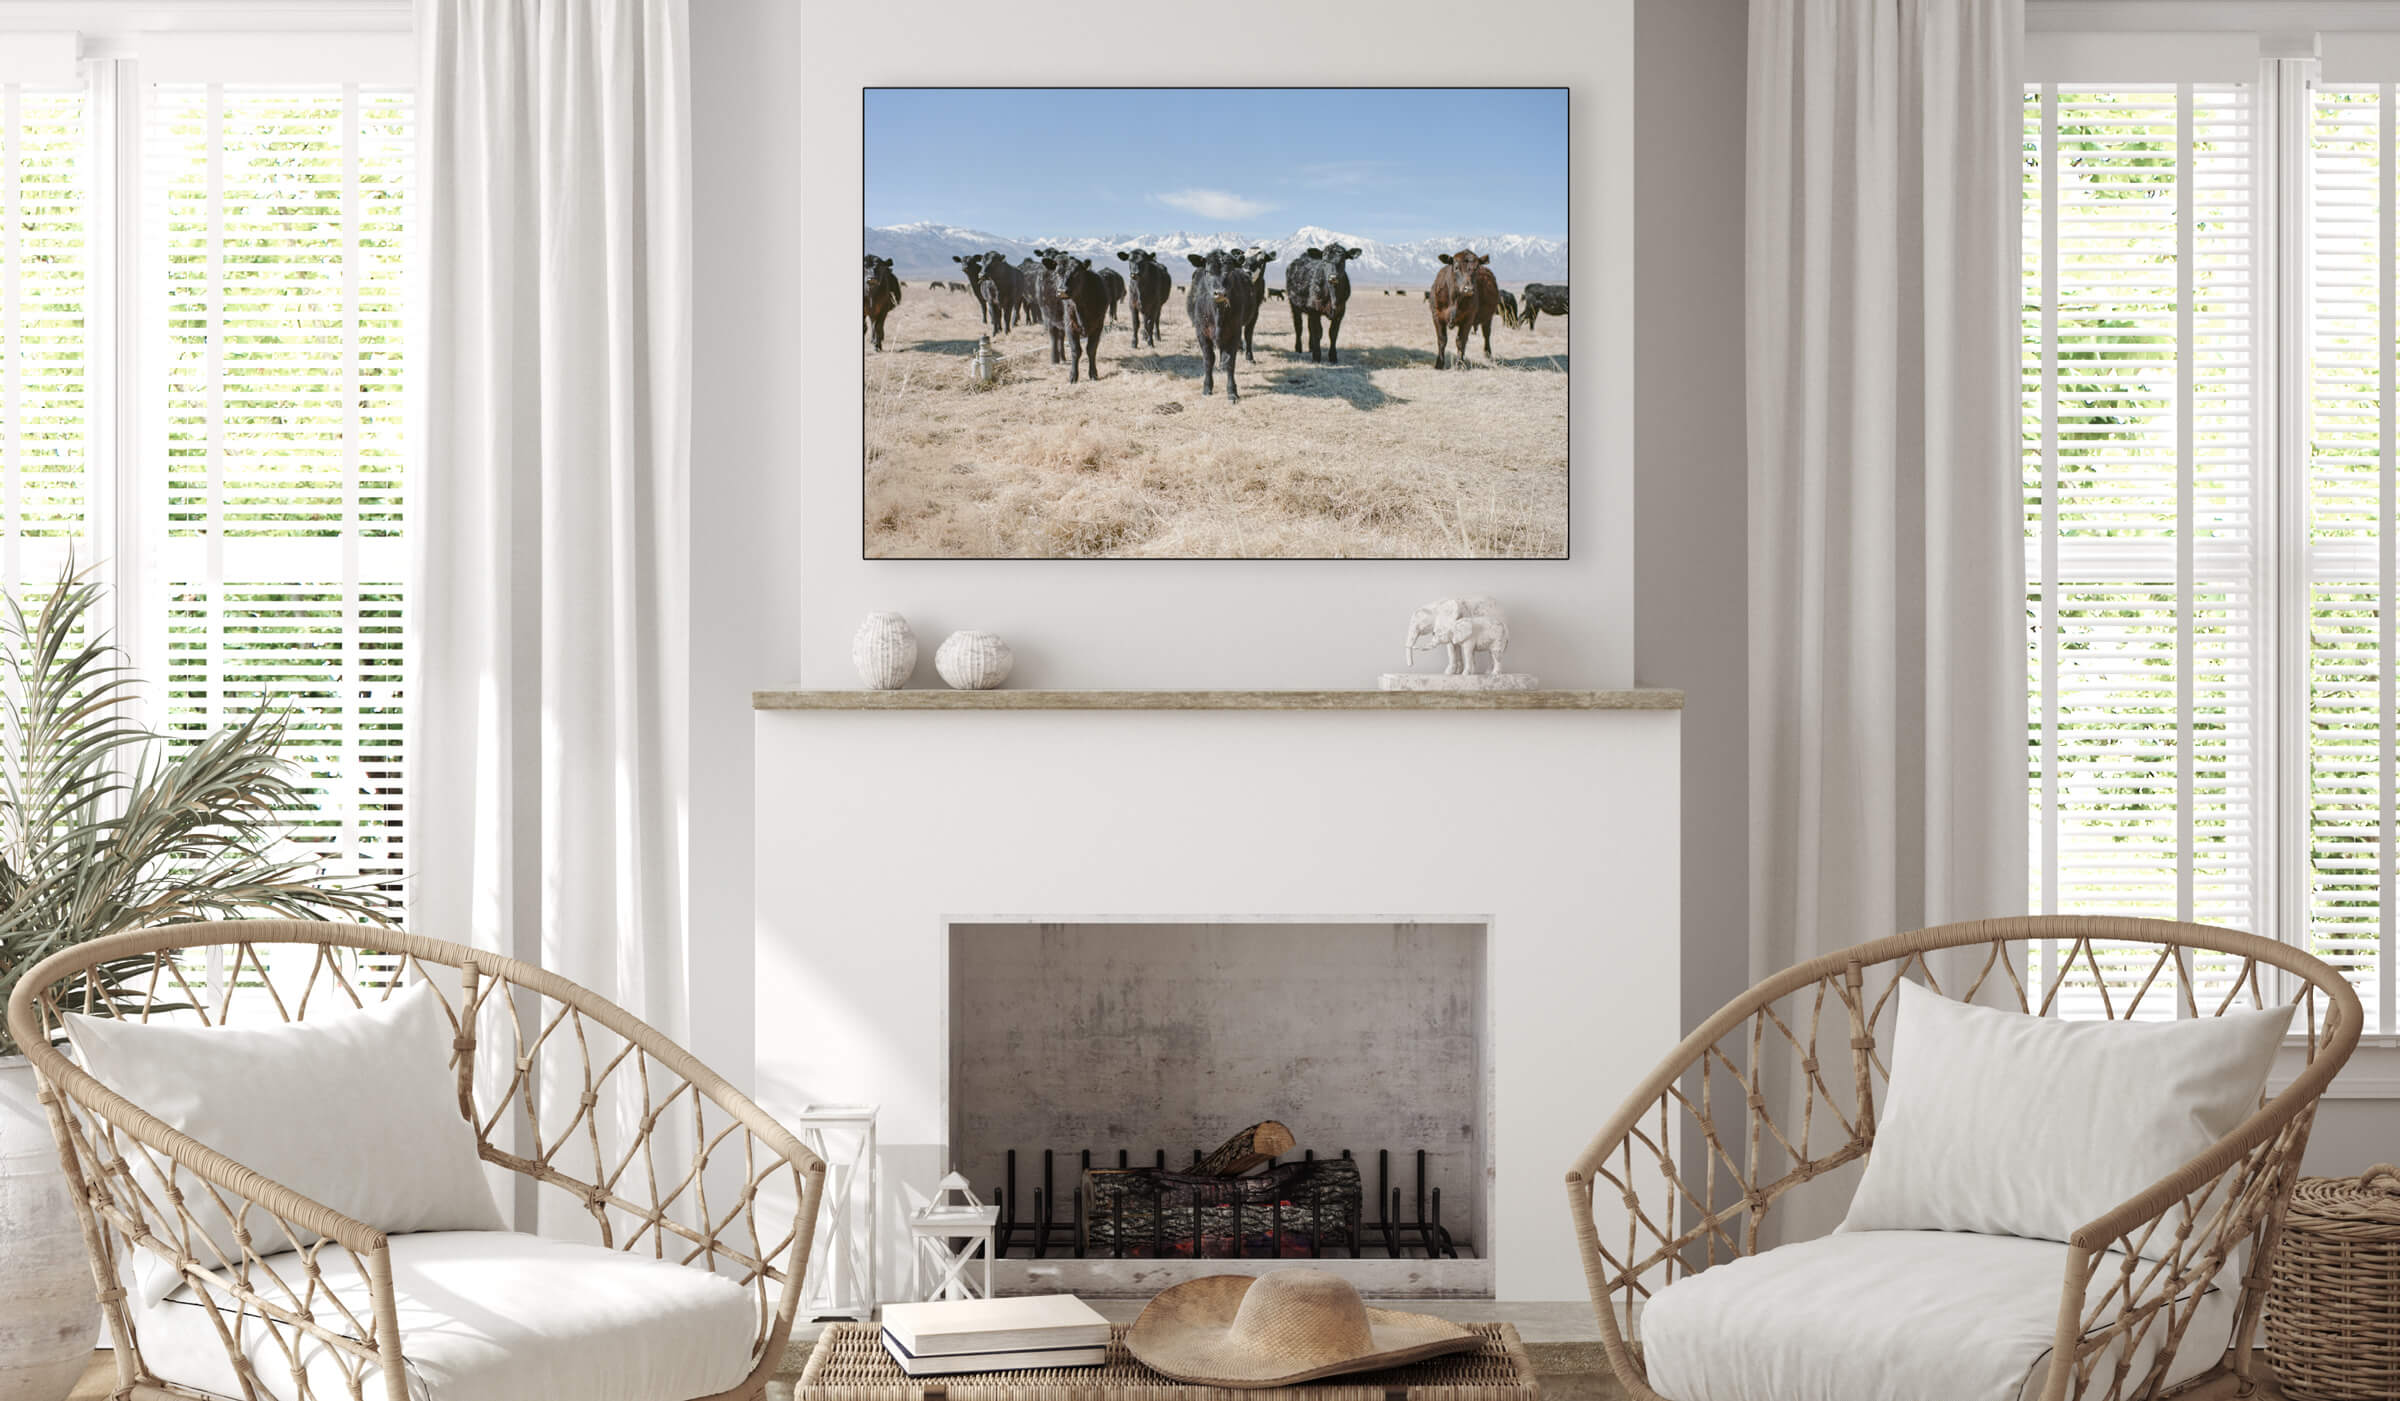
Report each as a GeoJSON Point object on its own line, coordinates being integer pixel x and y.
{"type": "Point", "coordinates": [272, 479]}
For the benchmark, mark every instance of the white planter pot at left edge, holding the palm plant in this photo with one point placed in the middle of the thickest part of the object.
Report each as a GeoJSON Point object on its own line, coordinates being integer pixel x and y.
{"type": "Point", "coordinates": [49, 1316]}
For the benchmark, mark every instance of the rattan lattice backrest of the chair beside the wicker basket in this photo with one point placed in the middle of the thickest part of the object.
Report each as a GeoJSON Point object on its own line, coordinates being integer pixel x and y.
{"type": "Point", "coordinates": [1780, 1088]}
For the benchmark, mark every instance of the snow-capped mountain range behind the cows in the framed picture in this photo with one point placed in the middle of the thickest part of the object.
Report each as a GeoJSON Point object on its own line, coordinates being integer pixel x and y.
{"type": "Point", "coordinates": [925, 251]}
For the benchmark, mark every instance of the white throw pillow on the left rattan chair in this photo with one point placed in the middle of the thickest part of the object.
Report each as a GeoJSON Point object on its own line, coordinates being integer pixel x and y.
{"type": "Point", "coordinates": [354, 1110]}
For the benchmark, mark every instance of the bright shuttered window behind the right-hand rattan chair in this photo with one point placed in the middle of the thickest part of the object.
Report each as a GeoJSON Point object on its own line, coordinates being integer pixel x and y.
{"type": "Point", "coordinates": [2209, 507]}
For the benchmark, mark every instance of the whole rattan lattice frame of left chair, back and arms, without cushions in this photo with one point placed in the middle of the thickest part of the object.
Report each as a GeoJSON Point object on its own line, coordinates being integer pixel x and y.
{"type": "Point", "coordinates": [608, 1119]}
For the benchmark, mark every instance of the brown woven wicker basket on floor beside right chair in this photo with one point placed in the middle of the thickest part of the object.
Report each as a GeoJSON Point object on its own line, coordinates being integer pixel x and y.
{"type": "Point", "coordinates": [2334, 1306]}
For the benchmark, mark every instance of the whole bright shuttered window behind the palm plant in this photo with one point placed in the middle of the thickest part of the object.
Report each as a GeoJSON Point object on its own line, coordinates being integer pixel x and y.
{"type": "Point", "coordinates": [205, 375]}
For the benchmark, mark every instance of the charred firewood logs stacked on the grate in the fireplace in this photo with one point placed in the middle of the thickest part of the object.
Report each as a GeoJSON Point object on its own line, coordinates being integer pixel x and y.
{"type": "Point", "coordinates": [1232, 1203]}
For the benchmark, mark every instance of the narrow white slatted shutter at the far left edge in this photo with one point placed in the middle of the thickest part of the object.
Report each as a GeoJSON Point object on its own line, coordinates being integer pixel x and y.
{"type": "Point", "coordinates": [47, 387]}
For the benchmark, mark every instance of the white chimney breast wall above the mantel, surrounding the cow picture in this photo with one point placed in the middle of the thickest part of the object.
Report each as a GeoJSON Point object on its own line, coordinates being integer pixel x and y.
{"type": "Point", "coordinates": [1199, 623]}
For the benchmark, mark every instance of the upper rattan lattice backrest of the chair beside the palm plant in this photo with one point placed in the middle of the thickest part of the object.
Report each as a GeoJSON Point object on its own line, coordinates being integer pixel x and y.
{"type": "Point", "coordinates": [563, 1086]}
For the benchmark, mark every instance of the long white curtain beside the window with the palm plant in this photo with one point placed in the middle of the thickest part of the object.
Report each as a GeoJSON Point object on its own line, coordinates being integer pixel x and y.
{"type": "Point", "coordinates": [551, 503]}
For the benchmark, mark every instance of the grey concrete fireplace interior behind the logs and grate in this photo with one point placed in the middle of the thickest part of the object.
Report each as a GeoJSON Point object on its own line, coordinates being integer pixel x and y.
{"type": "Point", "coordinates": [1153, 1042]}
